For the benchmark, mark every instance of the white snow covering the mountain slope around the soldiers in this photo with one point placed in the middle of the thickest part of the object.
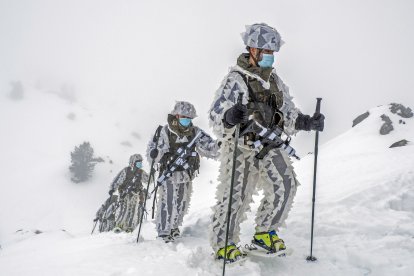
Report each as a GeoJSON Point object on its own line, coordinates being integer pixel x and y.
{"type": "Point", "coordinates": [364, 205]}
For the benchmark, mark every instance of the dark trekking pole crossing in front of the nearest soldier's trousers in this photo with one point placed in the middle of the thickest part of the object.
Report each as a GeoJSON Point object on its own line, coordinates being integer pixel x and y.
{"type": "Point", "coordinates": [233, 173]}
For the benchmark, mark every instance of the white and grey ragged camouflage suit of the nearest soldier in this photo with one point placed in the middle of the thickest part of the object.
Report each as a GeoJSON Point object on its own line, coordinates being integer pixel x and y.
{"type": "Point", "coordinates": [274, 174]}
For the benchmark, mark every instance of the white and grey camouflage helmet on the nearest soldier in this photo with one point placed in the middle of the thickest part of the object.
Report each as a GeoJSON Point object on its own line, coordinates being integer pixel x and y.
{"type": "Point", "coordinates": [262, 36]}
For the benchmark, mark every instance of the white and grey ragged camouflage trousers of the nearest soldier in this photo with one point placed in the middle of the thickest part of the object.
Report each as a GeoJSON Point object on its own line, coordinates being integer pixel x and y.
{"type": "Point", "coordinates": [274, 175]}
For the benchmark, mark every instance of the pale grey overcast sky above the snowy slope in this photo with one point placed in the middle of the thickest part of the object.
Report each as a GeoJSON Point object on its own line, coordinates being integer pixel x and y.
{"type": "Point", "coordinates": [355, 54]}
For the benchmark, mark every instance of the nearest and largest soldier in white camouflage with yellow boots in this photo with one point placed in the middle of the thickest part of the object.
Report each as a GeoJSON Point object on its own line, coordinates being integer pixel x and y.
{"type": "Point", "coordinates": [266, 100]}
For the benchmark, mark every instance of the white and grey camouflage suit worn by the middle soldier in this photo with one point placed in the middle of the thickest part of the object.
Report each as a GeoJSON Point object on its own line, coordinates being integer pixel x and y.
{"type": "Point", "coordinates": [174, 195]}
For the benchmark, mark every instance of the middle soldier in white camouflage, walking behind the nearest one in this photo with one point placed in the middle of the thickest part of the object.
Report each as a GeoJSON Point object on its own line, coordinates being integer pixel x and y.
{"type": "Point", "coordinates": [175, 193]}
